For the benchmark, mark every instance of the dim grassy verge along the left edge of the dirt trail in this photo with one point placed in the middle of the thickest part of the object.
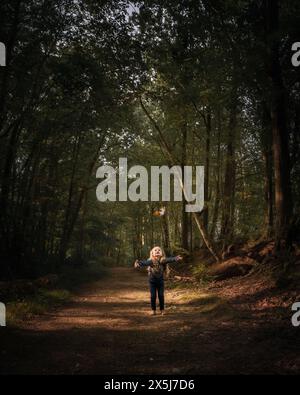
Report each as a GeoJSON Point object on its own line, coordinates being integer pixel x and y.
{"type": "Point", "coordinates": [44, 299]}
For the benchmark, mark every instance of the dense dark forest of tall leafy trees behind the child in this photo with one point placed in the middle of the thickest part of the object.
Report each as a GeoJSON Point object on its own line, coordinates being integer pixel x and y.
{"type": "Point", "coordinates": [206, 83]}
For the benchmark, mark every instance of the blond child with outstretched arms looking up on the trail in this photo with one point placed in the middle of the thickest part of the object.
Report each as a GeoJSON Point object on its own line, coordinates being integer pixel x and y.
{"type": "Point", "coordinates": [156, 267]}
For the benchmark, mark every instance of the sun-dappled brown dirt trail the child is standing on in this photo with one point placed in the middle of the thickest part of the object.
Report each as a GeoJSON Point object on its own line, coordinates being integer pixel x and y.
{"type": "Point", "coordinates": [107, 330]}
